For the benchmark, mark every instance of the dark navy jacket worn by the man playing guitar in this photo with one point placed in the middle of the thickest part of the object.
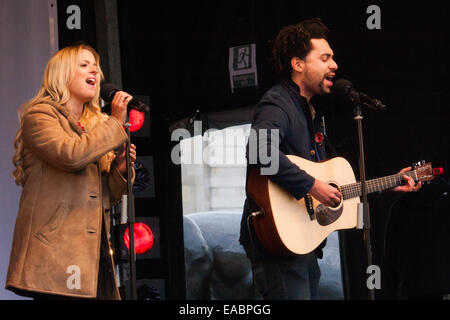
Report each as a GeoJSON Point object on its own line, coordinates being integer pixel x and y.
{"type": "Point", "coordinates": [283, 108]}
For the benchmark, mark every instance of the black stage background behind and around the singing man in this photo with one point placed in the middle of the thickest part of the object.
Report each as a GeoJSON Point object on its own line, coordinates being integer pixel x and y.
{"type": "Point", "coordinates": [177, 54]}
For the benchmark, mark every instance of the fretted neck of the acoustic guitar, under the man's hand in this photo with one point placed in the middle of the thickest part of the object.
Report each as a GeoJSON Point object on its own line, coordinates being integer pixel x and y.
{"type": "Point", "coordinates": [354, 190]}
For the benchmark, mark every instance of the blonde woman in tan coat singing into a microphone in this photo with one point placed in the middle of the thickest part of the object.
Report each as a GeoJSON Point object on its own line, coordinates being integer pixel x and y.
{"type": "Point", "coordinates": [70, 161]}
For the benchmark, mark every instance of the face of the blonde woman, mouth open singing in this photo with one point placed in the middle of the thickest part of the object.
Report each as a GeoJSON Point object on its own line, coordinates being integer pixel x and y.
{"type": "Point", "coordinates": [86, 78]}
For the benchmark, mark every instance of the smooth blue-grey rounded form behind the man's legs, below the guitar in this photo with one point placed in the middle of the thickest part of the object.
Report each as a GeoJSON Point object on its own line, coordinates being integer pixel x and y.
{"type": "Point", "coordinates": [217, 267]}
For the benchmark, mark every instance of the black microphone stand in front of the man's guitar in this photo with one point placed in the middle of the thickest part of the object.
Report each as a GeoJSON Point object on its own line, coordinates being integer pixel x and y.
{"type": "Point", "coordinates": [363, 208]}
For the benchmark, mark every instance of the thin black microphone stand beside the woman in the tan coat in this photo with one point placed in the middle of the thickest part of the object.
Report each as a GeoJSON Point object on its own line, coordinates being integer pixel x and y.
{"type": "Point", "coordinates": [131, 215]}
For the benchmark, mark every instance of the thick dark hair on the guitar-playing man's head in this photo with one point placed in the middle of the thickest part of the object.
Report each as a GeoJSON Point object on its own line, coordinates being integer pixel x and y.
{"type": "Point", "coordinates": [295, 41]}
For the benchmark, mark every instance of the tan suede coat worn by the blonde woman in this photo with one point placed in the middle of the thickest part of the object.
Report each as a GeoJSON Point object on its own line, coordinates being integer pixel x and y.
{"type": "Point", "coordinates": [68, 185]}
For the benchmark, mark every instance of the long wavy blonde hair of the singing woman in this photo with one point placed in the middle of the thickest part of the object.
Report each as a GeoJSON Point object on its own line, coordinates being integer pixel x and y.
{"type": "Point", "coordinates": [58, 74]}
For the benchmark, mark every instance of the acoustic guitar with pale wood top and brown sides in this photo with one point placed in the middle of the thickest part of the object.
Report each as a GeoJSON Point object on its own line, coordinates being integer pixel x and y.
{"type": "Point", "coordinates": [285, 225]}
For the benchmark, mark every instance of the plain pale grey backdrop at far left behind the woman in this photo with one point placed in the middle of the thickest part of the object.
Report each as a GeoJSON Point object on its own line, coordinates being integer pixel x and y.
{"type": "Point", "coordinates": [25, 31]}
